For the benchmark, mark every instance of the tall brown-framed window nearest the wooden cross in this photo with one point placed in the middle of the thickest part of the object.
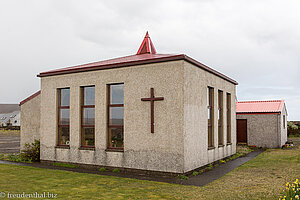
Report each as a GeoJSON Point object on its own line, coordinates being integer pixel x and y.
{"type": "Point", "coordinates": [116, 116]}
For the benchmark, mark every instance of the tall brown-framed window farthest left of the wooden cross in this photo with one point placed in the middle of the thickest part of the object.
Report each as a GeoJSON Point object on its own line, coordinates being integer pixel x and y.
{"type": "Point", "coordinates": [63, 116]}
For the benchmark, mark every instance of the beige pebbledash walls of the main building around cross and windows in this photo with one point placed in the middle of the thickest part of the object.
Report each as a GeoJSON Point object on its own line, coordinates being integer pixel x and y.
{"type": "Point", "coordinates": [179, 143]}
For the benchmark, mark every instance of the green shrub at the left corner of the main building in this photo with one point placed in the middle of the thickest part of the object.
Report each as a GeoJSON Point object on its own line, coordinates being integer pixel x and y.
{"type": "Point", "coordinates": [31, 152]}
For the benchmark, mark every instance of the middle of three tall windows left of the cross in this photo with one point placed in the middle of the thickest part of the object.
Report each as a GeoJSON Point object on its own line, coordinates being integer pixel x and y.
{"type": "Point", "coordinates": [88, 116]}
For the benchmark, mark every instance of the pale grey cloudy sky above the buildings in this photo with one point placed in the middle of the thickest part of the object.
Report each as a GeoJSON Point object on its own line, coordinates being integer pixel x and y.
{"type": "Point", "coordinates": [255, 42]}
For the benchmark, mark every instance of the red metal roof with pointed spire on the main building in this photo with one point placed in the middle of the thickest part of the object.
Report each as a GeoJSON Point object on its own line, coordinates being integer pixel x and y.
{"type": "Point", "coordinates": [146, 55]}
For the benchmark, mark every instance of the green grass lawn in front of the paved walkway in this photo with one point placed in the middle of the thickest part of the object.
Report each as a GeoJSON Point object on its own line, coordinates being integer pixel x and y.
{"type": "Point", "coordinates": [262, 178]}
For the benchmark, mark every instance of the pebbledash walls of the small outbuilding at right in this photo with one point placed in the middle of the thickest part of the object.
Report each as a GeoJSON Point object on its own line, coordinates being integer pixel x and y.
{"type": "Point", "coordinates": [266, 130]}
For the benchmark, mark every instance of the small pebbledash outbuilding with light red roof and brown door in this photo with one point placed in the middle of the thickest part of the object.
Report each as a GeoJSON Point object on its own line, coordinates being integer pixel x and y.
{"type": "Point", "coordinates": [262, 123]}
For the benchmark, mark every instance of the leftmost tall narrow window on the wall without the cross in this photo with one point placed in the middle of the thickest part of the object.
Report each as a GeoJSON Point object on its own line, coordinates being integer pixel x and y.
{"type": "Point", "coordinates": [210, 116]}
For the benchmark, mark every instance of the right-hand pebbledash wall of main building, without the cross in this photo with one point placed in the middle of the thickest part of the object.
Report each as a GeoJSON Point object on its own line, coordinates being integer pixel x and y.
{"type": "Point", "coordinates": [196, 151]}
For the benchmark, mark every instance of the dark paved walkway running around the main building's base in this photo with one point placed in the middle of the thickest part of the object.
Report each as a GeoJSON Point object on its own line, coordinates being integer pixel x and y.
{"type": "Point", "coordinates": [199, 180]}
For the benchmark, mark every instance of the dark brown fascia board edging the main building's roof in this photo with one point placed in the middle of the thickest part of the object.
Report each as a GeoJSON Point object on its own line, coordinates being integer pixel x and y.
{"type": "Point", "coordinates": [140, 62]}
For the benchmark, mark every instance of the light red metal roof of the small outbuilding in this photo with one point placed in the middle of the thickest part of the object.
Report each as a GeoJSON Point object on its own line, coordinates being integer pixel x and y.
{"type": "Point", "coordinates": [272, 106]}
